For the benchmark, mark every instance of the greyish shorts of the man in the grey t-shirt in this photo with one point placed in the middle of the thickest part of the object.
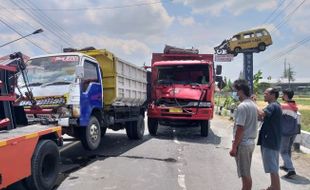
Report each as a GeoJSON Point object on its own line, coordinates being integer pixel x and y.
{"type": "Point", "coordinates": [243, 159]}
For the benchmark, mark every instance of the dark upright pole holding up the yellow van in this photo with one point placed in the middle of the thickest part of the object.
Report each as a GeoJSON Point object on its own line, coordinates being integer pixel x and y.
{"type": "Point", "coordinates": [248, 69]}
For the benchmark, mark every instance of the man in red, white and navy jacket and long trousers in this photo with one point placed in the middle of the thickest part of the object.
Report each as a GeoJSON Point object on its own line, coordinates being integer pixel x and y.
{"type": "Point", "coordinates": [290, 129]}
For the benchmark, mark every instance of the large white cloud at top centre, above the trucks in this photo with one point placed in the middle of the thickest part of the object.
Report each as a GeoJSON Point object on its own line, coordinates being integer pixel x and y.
{"type": "Point", "coordinates": [130, 21]}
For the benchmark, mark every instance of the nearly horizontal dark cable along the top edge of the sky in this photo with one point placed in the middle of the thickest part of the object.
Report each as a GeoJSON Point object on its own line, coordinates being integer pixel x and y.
{"type": "Point", "coordinates": [93, 8]}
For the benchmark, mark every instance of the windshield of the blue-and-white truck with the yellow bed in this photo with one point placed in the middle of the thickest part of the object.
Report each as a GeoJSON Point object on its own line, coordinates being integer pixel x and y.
{"type": "Point", "coordinates": [50, 70]}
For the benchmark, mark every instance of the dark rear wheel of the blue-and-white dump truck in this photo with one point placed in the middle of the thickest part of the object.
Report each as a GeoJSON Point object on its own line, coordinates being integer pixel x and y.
{"type": "Point", "coordinates": [136, 128]}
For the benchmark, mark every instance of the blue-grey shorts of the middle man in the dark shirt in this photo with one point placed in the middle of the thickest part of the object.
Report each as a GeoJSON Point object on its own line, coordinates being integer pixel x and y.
{"type": "Point", "coordinates": [270, 160]}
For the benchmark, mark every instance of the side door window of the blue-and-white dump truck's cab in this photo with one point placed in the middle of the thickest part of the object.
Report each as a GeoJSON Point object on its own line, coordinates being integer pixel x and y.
{"type": "Point", "coordinates": [90, 74]}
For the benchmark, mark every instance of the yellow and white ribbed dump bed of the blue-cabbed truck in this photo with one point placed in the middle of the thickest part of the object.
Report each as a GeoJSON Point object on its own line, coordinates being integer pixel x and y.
{"type": "Point", "coordinates": [123, 83]}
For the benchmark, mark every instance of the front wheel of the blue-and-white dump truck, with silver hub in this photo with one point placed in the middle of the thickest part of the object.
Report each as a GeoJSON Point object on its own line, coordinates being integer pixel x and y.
{"type": "Point", "coordinates": [91, 135]}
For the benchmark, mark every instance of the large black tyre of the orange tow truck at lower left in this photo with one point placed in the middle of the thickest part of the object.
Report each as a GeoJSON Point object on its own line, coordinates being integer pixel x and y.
{"type": "Point", "coordinates": [44, 166]}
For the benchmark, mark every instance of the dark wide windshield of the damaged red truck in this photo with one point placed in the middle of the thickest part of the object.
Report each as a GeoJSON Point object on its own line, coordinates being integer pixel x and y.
{"type": "Point", "coordinates": [183, 74]}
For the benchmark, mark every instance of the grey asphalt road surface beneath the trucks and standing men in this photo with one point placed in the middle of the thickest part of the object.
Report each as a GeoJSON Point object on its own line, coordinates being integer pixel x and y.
{"type": "Point", "coordinates": [176, 159]}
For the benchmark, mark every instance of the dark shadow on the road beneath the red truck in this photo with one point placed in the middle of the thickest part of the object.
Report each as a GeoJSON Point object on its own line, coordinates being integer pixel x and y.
{"type": "Point", "coordinates": [187, 134]}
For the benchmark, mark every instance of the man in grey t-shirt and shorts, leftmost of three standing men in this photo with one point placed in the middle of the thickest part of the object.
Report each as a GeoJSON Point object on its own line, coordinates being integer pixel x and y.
{"type": "Point", "coordinates": [245, 132]}
